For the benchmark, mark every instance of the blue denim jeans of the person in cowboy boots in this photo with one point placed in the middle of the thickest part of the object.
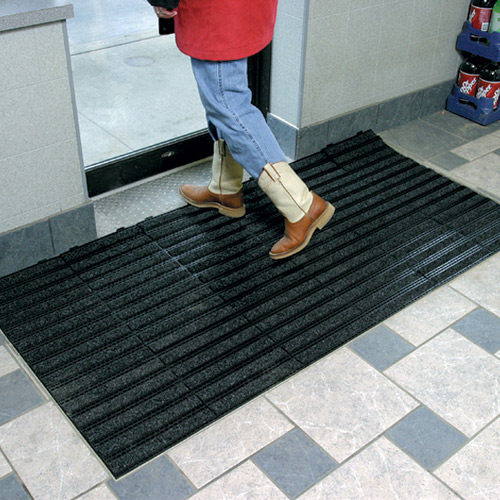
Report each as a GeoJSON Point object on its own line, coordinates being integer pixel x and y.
{"type": "Point", "coordinates": [224, 93]}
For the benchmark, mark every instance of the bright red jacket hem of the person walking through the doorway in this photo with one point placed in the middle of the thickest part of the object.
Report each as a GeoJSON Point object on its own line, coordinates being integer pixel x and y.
{"type": "Point", "coordinates": [222, 30]}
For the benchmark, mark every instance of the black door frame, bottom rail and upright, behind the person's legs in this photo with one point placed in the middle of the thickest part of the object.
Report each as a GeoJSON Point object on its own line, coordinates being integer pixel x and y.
{"type": "Point", "coordinates": [120, 171]}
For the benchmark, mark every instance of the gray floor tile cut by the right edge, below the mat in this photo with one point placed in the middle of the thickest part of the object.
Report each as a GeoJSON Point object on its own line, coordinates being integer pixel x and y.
{"type": "Point", "coordinates": [482, 327]}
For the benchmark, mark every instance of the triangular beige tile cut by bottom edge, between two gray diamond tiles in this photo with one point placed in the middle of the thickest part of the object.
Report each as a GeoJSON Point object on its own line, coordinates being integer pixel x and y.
{"type": "Point", "coordinates": [381, 472]}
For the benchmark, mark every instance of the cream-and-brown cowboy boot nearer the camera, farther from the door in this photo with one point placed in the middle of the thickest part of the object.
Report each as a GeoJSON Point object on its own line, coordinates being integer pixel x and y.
{"type": "Point", "coordinates": [303, 210]}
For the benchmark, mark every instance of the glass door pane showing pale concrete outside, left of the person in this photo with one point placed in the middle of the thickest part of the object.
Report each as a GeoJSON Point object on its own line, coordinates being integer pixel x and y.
{"type": "Point", "coordinates": [133, 88]}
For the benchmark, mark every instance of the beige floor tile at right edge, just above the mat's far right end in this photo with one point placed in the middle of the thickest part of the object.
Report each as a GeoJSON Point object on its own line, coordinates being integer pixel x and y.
{"type": "Point", "coordinates": [483, 173]}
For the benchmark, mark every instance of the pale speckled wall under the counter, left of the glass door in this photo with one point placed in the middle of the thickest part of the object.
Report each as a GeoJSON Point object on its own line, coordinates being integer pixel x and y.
{"type": "Point", "coordinates": [41, 171]}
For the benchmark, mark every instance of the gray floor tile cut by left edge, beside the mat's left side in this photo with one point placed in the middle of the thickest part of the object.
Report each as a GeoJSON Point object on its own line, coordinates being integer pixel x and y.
{"type": "Point", "coordinates": [17, 395]}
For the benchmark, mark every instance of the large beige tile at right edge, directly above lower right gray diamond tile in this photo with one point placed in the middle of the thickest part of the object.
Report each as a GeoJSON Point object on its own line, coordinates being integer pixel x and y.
{"type": "Point", "coordinates": [455, 378]}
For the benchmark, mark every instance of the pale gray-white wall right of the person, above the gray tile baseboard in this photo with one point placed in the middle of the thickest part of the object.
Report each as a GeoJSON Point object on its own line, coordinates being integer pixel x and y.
{"type": "Point", "coordinates": [336, 56]}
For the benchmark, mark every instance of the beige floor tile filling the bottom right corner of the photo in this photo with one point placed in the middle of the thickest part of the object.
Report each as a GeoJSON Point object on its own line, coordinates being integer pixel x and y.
{"type": "Point", "coordinates": [474, 472]}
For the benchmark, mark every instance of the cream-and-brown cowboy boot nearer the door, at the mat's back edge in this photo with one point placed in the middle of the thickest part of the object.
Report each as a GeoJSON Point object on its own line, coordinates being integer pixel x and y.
{"type": "Point", "coordinates": [225, 190]}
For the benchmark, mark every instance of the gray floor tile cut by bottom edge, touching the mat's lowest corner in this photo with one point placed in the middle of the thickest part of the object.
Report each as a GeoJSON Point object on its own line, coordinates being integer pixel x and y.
{"type": "Point", "coordinates": [158, 479]}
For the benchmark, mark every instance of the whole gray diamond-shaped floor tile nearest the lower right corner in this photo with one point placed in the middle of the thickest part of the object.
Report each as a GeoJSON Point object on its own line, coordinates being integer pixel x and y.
{"type": "Point", "coordinates": [426, 437]}
